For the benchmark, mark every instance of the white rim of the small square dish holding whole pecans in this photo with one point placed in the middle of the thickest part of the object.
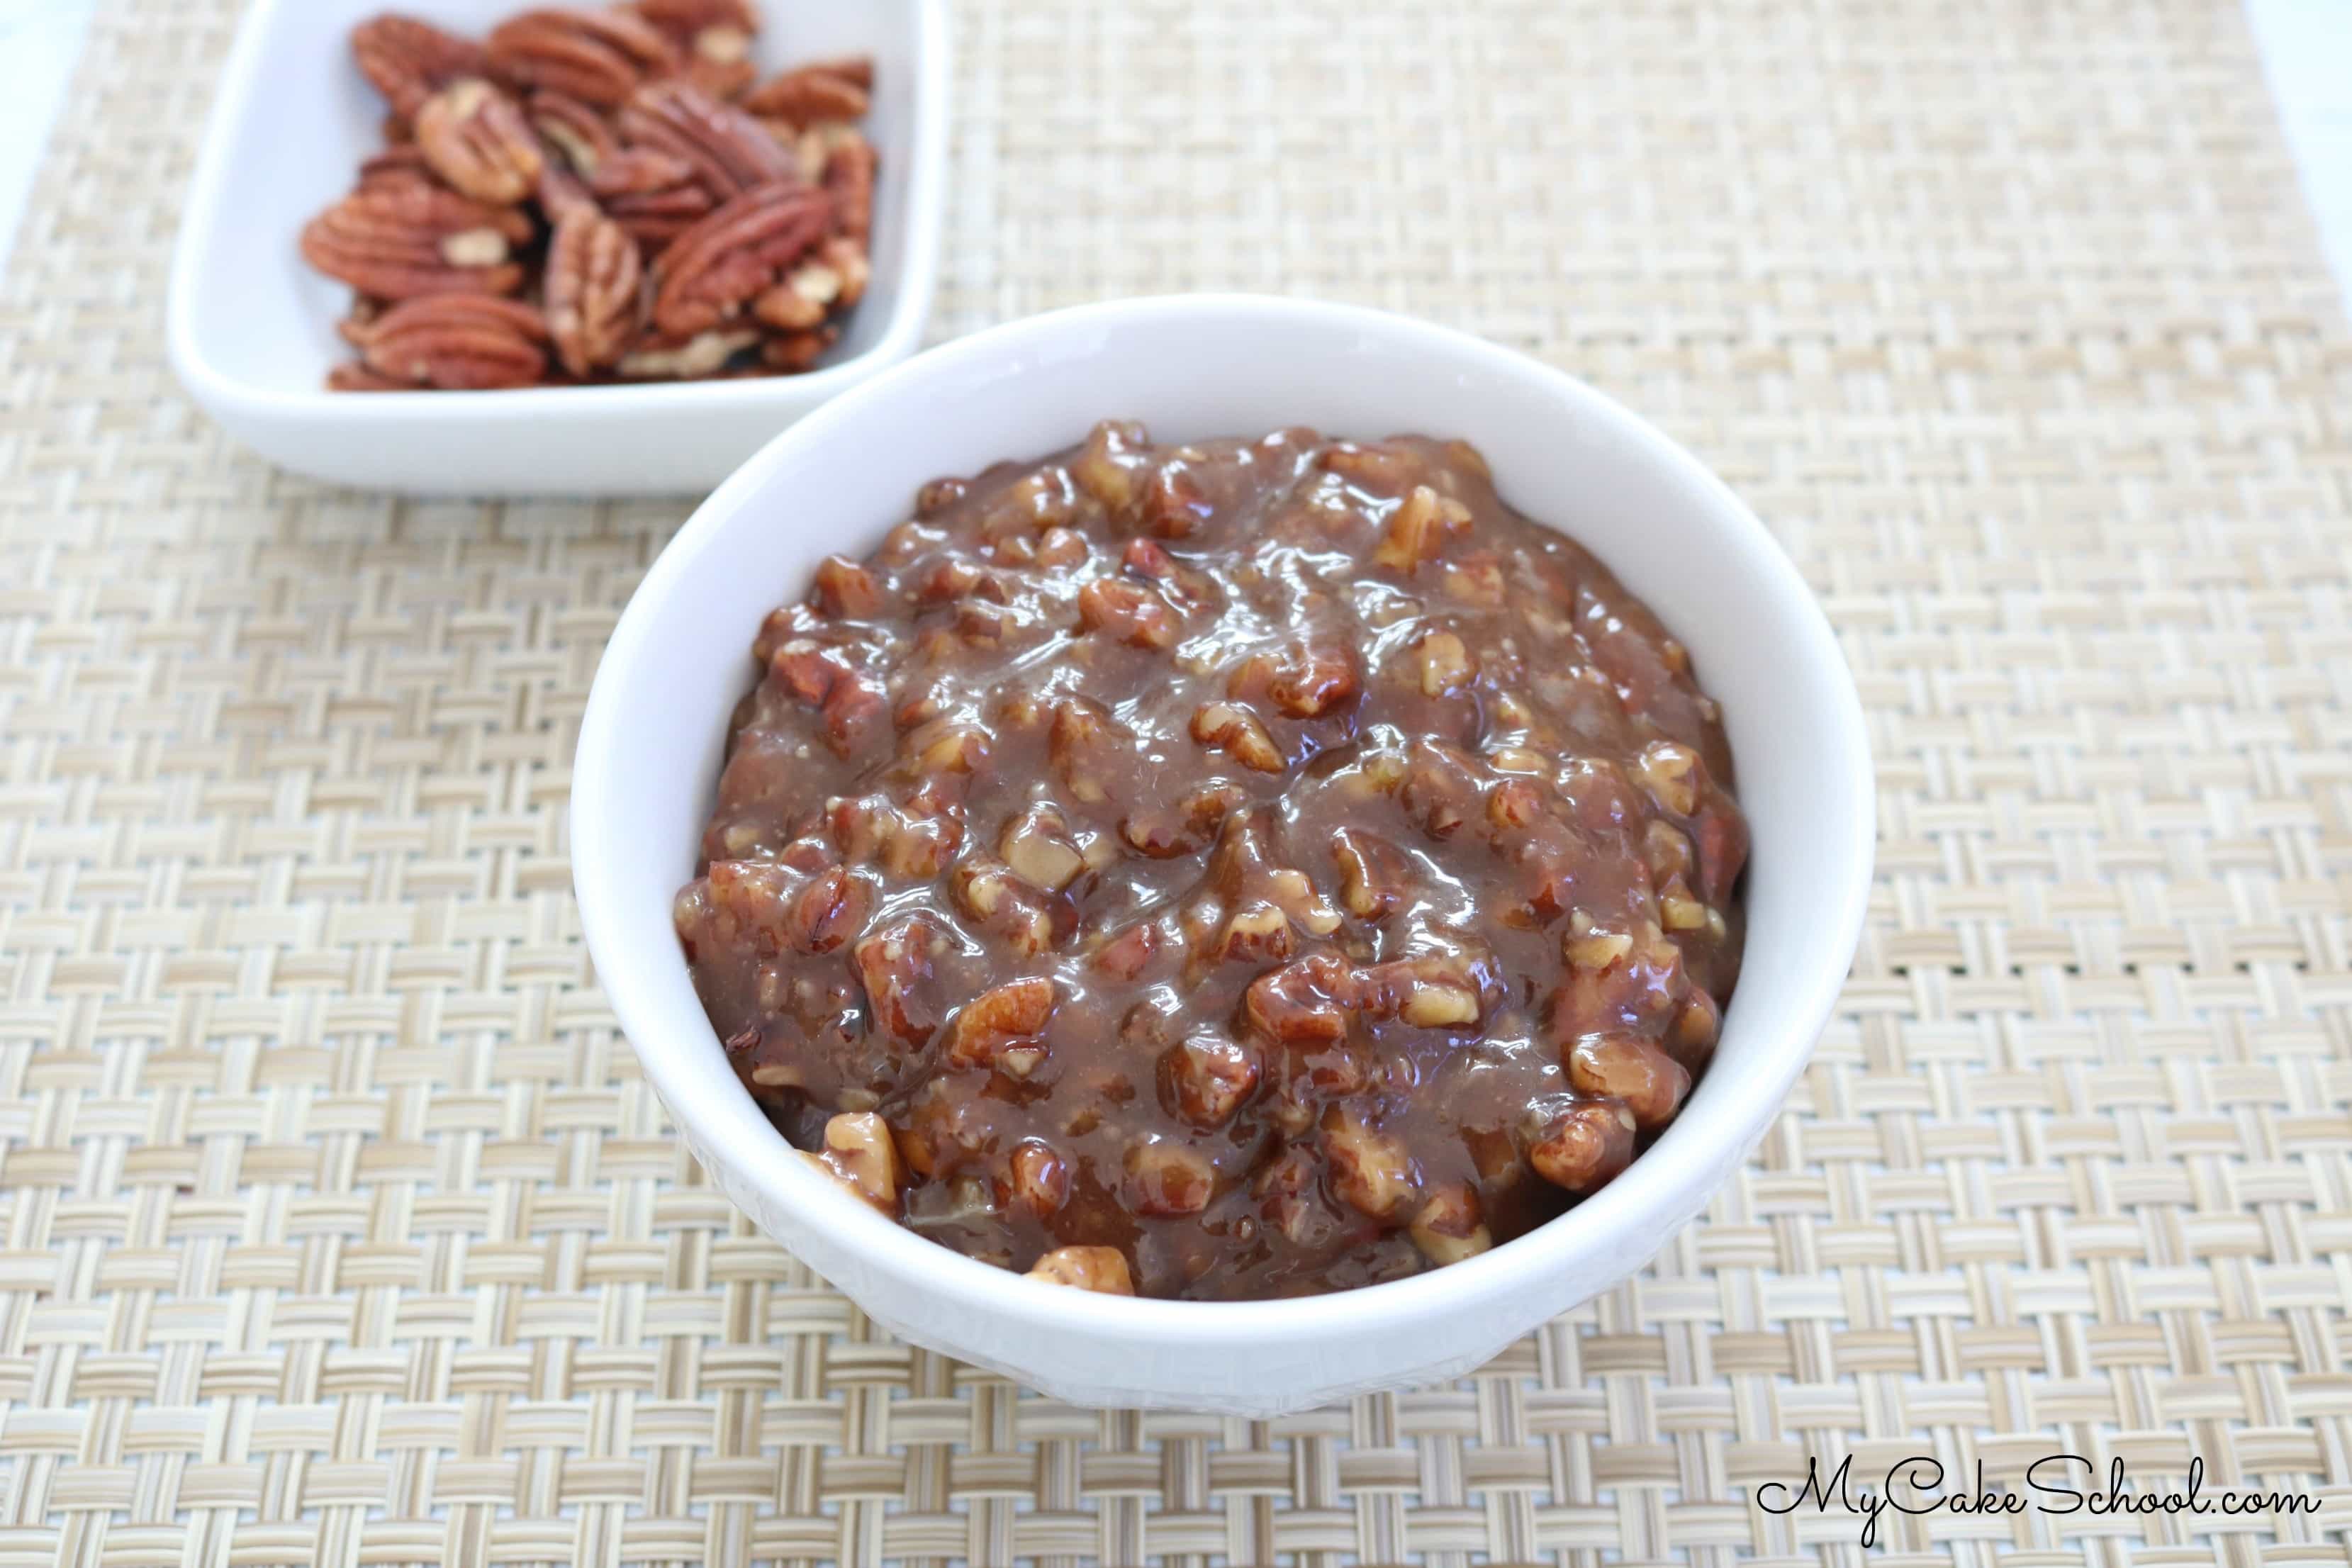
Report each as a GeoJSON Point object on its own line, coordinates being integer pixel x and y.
{"type": "Point", "coordinates": [316, 408]}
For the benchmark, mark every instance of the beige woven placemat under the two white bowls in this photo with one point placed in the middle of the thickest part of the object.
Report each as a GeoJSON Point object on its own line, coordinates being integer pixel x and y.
{"type": "Point", "coordinates": [338, 1224]}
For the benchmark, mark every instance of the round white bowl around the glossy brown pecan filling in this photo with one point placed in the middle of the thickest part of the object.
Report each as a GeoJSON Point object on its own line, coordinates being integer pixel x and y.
{"type": "Point", "coordinates": [1196, 368]}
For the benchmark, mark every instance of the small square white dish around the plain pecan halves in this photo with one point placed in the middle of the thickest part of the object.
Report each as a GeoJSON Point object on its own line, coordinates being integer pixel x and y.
{"type": "Point", "coordinates": [253, 328]}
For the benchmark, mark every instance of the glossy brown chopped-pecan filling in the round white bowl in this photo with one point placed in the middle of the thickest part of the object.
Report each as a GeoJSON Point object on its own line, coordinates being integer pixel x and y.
{"type": "Point", "coordinates": [1222, 871]}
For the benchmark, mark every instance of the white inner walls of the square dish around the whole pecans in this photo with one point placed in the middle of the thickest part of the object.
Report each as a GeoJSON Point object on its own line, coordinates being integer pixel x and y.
{"type": "Point", "coordinates": [295, 140]}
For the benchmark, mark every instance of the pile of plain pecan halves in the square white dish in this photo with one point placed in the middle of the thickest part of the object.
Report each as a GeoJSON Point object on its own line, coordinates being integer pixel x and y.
{"type": "Point", "coordinates": [599, 196]}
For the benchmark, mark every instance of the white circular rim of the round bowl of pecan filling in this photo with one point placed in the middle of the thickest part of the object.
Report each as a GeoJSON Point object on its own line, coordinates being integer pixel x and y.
{"type": "Point", "coordinates": [1619, 1219]}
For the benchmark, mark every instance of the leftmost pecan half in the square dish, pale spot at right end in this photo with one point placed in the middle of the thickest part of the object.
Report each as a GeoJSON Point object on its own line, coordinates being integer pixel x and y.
{"type": "Point", "coordinates": [408, 239]}
